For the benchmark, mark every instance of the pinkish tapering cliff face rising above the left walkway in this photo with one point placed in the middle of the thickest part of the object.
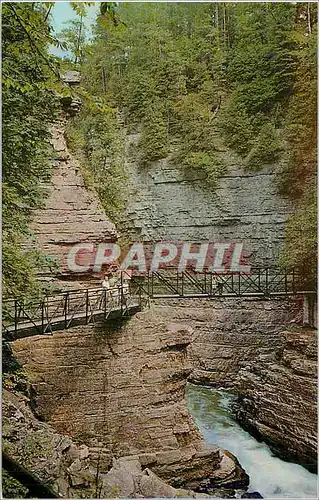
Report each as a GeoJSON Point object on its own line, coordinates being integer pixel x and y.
{"type": "Point", "coordinates": [72, 213]}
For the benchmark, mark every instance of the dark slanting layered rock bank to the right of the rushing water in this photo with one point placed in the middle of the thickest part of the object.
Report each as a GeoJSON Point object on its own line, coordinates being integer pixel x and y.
{"type": "Point", "coordinates": [278, 397]}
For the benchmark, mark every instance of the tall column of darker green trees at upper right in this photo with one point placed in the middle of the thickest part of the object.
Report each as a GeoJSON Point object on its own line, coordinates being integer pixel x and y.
{"type": "Point", "coordinates": [260, 74]}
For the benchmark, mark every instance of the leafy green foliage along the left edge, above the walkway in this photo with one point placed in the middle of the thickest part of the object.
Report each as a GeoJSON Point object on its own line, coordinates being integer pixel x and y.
{"type": "Point", "coordinates": [28, 109]}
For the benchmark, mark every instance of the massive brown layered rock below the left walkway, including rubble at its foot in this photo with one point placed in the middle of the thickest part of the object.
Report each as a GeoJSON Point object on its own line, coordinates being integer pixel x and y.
{"type": "Point", "coordinates": [134, 379]}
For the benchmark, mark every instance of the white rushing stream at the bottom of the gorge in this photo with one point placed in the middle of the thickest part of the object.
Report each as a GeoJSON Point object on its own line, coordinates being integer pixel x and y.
{"type": "Point", "coordinates": [269, 475]}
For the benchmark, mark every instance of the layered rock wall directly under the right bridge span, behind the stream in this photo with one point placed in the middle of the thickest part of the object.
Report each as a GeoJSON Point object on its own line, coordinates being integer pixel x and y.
{"type": "Point", "coordinates": [229, 333]}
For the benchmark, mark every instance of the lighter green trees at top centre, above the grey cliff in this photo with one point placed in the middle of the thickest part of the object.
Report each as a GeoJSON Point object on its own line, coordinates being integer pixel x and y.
{"type": "Point", "coordinates": [156, 66]}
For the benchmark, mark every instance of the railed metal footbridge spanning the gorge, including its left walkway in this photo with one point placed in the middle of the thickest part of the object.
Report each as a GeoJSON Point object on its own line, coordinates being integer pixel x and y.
{"type": "Point", "coordinates": [65, 309]}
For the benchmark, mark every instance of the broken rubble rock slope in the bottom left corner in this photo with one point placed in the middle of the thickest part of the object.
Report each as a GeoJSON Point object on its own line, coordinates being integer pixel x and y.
{"type": "Point", "coordinates": [65, 468]}
